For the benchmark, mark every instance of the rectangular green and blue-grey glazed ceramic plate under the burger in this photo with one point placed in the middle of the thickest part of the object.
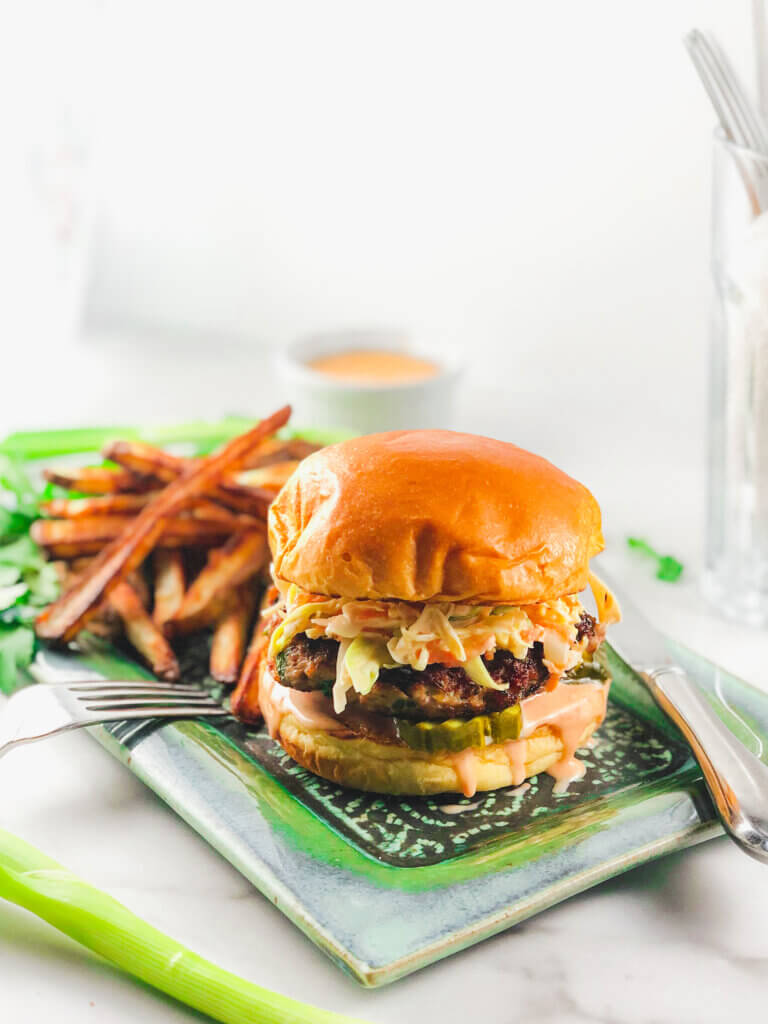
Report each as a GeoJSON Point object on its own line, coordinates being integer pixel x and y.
{"type": "Point", "coordinates": [389, 885]}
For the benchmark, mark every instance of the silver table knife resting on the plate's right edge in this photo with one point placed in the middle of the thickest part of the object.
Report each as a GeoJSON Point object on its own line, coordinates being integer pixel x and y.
{"type": "Point", "coordinates": [737, 780]}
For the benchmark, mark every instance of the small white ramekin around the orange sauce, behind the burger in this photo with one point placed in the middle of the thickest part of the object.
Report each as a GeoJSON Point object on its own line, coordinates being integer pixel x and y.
{"type": "Point", "coordinates": [322, 401]}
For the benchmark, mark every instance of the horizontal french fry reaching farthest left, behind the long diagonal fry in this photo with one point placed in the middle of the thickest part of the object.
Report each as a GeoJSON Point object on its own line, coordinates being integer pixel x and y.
{"type": "Point", "coordinates": [70, 538]}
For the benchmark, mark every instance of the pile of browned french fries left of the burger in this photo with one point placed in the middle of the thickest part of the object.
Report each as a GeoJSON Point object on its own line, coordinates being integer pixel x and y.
{"type": "Point", "coordinates": [161, 546]}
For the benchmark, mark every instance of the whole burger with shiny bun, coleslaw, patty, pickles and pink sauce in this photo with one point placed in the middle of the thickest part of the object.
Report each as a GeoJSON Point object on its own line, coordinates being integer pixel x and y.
{"type": "Point", "coordinates": [426, 633]}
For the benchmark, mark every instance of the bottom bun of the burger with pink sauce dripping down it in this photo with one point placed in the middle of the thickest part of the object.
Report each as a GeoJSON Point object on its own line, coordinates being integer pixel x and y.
{"type": "Point", "coordinates": [391, 769]}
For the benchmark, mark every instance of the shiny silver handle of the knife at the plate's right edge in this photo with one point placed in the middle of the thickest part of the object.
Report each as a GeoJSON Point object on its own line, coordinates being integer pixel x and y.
{"type": "Point", "coordinates": [737, 780]}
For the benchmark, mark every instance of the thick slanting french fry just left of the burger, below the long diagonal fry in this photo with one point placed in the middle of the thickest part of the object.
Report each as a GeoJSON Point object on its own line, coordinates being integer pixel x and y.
{"type": "Point", "coordinates": [242, 557]}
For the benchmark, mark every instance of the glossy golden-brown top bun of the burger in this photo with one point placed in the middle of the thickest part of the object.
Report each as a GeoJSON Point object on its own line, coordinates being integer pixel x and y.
{"type": "Point", "coordinates": [432, 516]}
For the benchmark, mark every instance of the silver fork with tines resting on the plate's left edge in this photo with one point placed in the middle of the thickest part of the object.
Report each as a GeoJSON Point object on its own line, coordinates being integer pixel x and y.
{"type": "Point", "coordinates": [48, 709]}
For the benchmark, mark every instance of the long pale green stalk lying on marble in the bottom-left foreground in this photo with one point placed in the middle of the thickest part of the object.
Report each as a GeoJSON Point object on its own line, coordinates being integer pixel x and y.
{"type": "Point", "coordinates": [38, 884]}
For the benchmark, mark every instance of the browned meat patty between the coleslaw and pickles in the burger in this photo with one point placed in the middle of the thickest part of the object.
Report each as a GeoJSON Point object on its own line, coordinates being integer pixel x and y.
{"type": "Point", "coordinates": [438, 693]}
